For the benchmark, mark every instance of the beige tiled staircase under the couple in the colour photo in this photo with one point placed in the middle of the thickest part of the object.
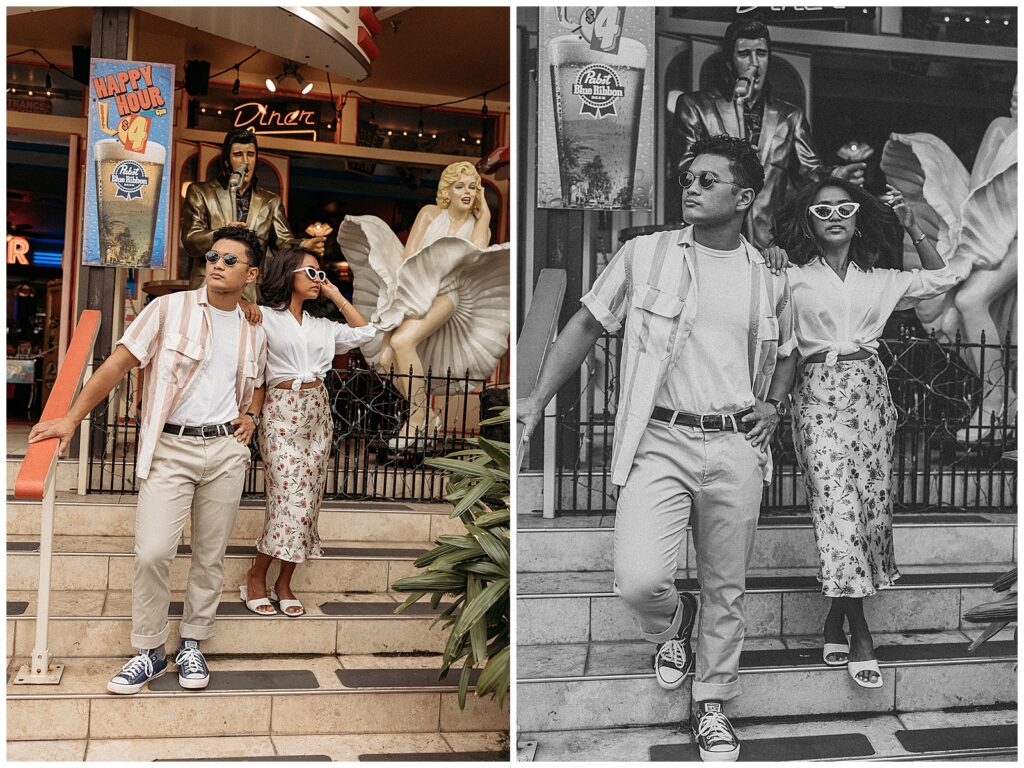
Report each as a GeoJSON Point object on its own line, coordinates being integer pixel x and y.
{"type": "Point", "coordinates": [350, 680]}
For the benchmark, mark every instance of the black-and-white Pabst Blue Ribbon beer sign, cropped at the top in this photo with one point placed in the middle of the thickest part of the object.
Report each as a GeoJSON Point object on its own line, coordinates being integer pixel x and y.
{"type": "Point", "coordinates": [596, 127]}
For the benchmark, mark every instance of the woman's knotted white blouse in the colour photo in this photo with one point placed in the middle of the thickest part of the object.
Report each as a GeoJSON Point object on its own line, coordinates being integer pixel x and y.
{"type": "Point", "coordinates": [305, 353]}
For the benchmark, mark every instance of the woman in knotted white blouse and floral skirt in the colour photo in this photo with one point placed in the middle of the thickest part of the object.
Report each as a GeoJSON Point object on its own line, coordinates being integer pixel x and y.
{"type": "Point", "coordinates": [296, 430]}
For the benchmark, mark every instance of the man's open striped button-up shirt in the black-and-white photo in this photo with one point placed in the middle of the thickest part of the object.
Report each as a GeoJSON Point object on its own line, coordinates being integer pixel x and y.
{"type": "Point", "coordinates": [651, 289]}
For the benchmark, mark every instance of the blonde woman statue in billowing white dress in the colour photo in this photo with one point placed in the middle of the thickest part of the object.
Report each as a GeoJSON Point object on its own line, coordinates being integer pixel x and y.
{"type": "Point", "coordinates": [442, 301]}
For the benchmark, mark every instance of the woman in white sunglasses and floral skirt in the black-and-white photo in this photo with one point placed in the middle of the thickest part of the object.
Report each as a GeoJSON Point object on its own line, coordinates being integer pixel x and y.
{"type": "Point", "coordinates": [844, 421]}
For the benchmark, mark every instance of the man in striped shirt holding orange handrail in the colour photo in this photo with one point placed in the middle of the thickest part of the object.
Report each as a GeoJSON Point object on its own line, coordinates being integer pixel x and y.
{"type": "Point", "coordinates": [203, 386]}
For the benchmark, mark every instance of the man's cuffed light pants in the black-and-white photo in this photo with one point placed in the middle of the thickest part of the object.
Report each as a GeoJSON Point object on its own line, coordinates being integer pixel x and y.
{"type": "Point", "coordinates": [718, 478]}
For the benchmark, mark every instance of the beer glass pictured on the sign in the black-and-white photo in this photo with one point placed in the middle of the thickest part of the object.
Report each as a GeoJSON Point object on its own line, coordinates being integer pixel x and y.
{"type": "Point", "coordinates": [598, 101]}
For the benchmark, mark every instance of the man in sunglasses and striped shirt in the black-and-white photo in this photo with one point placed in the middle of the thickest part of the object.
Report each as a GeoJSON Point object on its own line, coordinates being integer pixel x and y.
{"type": "Point", "coordinates": [704, 323]}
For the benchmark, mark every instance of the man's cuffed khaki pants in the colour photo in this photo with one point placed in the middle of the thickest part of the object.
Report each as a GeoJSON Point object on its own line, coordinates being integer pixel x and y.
{"type": "Point", "coordinates": [205, 475]}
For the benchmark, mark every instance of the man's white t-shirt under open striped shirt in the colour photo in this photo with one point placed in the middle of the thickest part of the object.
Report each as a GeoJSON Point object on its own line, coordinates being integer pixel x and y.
{"type": "Point", "coordinates": [211, 399]}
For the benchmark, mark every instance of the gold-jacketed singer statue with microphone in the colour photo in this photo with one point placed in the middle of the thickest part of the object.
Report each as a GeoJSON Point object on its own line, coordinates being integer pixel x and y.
{"type": "Point", "coordinates": [210, 205]}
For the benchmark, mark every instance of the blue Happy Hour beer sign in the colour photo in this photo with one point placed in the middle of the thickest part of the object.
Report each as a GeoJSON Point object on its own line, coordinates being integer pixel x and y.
{"type": "Point", "coordinates": [127, 196]}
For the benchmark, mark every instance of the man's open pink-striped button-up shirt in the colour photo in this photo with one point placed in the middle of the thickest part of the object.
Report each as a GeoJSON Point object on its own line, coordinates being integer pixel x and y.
{"type": "Point", "coordinates": [172, 338]}
